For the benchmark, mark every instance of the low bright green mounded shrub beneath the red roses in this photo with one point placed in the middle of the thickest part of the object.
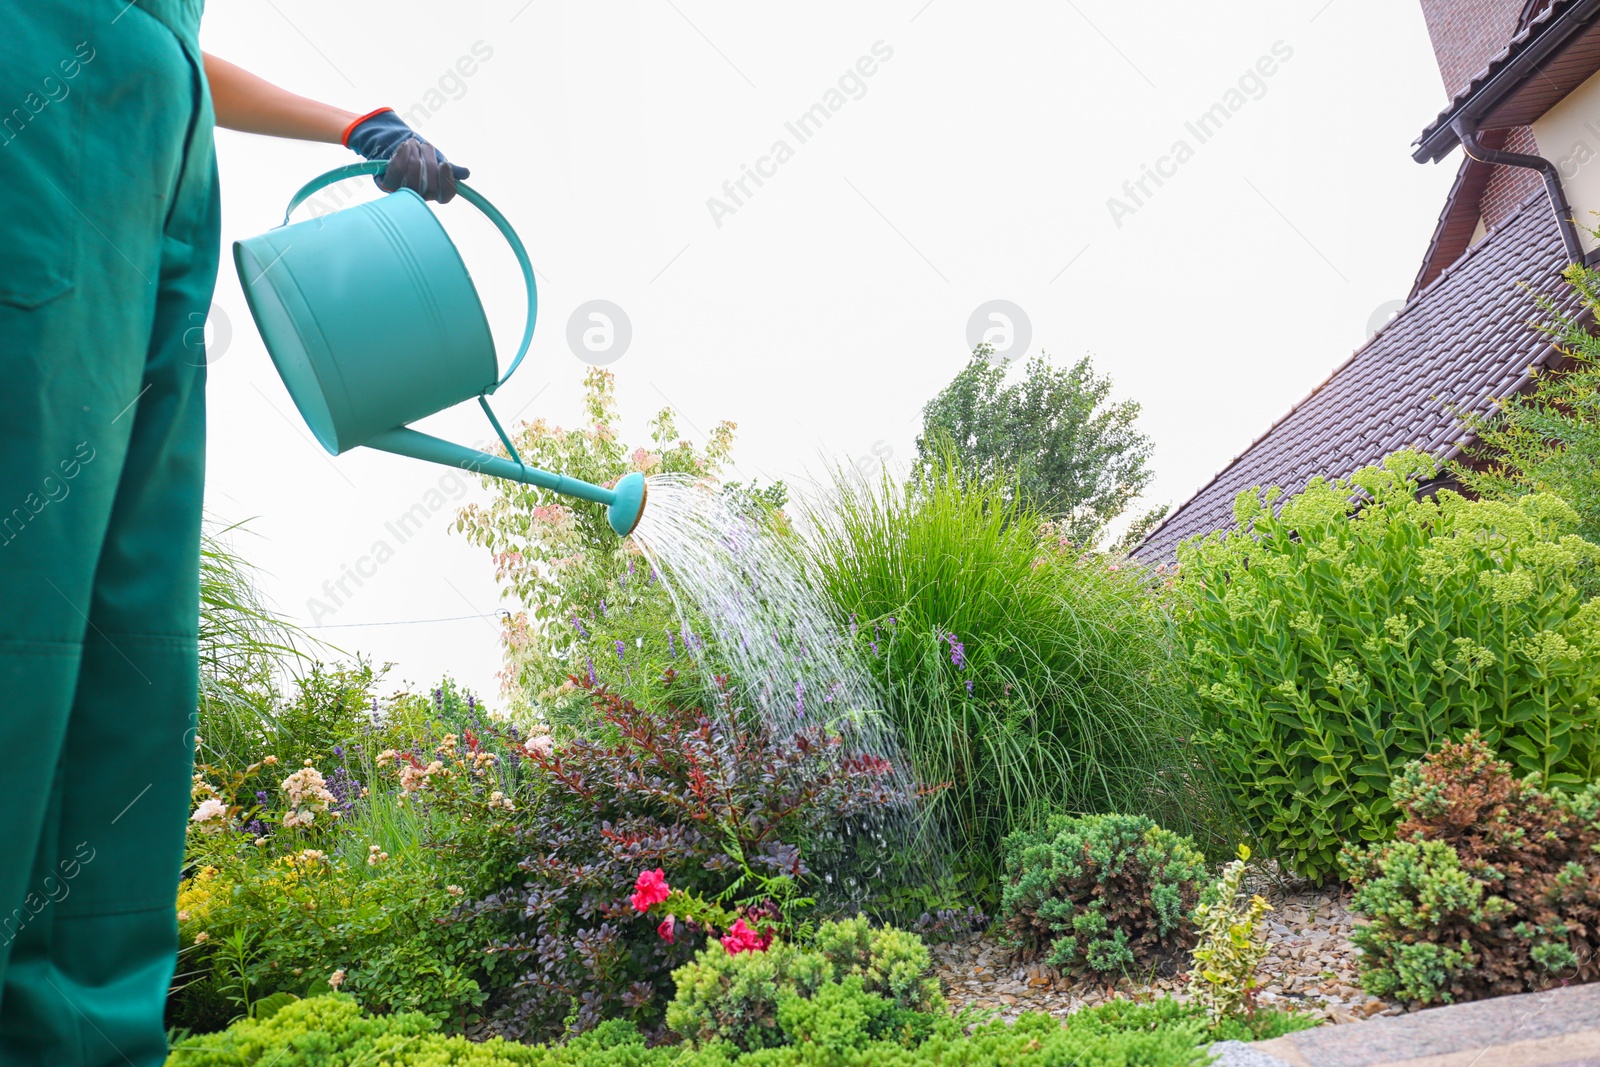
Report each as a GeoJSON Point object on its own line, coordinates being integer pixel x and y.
{"type": "Point", "coordinates": [854, 983]}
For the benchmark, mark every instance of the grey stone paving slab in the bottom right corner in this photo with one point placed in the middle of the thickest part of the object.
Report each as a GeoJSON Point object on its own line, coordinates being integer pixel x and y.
{"type": "Point", "coordinates": [1559, 1028]}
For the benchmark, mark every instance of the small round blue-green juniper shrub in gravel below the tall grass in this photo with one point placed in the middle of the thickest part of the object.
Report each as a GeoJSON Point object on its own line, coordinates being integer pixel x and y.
{"type": "Point", "coordinates": [1102, 893]}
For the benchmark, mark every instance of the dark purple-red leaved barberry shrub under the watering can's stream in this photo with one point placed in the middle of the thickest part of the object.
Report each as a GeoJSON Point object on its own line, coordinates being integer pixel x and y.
{"type": "Point", "coordinates": [721, 810]}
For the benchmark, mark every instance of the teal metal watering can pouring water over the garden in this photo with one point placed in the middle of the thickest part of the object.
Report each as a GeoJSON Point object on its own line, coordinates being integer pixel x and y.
{"type": "Point", "coordinates": [374, 322]}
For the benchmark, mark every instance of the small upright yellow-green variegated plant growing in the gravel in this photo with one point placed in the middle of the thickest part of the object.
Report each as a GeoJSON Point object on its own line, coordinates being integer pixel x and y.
{"type": "Point", "coordinates": [1231, 945]}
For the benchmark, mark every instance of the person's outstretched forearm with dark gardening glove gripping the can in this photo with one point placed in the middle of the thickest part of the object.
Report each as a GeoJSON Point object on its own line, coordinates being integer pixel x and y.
{"type": "Point", "coordinates": [242, 102]}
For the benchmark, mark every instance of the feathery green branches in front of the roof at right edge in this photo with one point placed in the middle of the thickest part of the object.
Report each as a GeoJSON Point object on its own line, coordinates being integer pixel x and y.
{"type": "Point", "coordinates": [1548, 439]}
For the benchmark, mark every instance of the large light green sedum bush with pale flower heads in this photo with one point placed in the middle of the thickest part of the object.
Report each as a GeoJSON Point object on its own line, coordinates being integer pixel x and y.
{"type": "Point", "coordinates": [1329, 650]}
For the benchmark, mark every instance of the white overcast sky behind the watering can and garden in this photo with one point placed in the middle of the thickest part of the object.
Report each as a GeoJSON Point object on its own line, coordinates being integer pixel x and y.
{"type": "Point", "coordinates": [820, 316]}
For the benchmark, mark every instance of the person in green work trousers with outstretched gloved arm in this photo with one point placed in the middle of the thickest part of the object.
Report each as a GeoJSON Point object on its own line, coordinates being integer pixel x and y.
{"type": "Point", "coordinates": [108, 257]}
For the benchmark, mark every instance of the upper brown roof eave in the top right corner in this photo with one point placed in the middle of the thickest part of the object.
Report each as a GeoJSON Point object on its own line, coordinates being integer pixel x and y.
{"type": "Point", "coordinates": [1559, 74]}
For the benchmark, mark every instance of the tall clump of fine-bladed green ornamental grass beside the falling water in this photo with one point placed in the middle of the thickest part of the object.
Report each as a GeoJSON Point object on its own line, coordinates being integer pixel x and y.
{"type": "Point", "coordinates": [1028, 676]}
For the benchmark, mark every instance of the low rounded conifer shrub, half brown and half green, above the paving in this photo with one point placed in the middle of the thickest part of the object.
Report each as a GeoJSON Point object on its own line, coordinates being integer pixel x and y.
{"type": "Point", "coordinates": [1490, 889]}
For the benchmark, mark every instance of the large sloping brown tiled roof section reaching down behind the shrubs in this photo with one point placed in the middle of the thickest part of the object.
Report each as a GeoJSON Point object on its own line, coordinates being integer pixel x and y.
{"type": "Point", "coordinates": [1460, 343]}
